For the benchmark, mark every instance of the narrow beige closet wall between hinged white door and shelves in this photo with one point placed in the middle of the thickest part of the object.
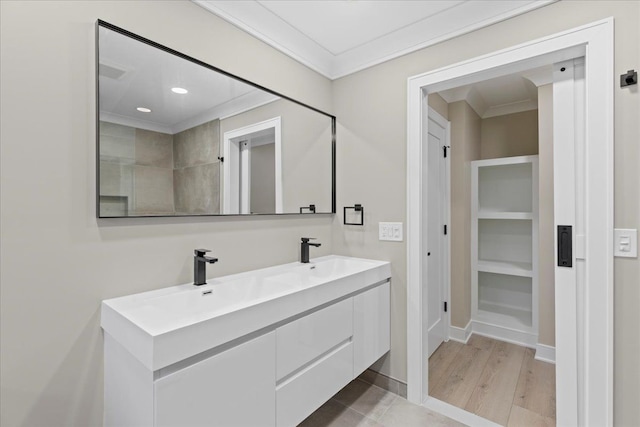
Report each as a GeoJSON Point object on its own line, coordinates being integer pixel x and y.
{"type": "Point", "coordinates": [465, 146]}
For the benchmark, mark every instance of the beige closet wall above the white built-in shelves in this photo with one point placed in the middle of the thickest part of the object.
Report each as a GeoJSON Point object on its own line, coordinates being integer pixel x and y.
{"type": "Point", "coordinates": [509, 135]}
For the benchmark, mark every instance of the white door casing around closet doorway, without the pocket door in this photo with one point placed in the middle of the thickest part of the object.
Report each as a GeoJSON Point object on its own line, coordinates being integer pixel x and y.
{"type": "Point", "coordinates": [595, 42]}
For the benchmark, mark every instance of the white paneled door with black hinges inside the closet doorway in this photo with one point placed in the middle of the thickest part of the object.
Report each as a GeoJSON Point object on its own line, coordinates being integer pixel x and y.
{"type": "Point", "coordinates": [436, 249]}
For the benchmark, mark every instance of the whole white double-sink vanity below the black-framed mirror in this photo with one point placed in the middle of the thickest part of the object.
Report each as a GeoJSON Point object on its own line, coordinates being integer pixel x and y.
{"type": "Point", "coordinates": [260, 348]}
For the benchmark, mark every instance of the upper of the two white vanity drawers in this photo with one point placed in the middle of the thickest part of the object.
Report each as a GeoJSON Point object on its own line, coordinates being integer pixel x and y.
{"type": "Point", "coordinates": [308, 338]}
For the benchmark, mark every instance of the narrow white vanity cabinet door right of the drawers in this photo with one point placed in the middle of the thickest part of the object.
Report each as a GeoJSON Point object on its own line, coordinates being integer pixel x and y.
{"type": "Point", "coordinates": [371, 327]}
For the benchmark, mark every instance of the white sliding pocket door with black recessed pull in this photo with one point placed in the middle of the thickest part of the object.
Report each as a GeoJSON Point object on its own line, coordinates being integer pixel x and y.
{"type": "Point", "coordinates": [569, 191]}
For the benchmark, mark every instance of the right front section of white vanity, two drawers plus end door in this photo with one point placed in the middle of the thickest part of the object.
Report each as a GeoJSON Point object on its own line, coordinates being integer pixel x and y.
{"type": "Point", "coordinates": [320, 353]}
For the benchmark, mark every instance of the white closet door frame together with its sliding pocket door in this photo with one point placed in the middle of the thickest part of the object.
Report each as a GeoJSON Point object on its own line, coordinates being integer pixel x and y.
{"type": "Point", "coordinates": [582, 165]}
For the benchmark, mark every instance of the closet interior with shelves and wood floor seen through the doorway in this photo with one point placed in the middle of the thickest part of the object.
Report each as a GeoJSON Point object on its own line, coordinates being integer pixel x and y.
{"type": "Point", "coordinates": [489, 362]}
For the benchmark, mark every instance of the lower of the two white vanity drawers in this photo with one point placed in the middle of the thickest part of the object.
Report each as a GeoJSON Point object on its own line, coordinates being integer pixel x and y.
{"type": "Point", "coordinates": [297, 397]}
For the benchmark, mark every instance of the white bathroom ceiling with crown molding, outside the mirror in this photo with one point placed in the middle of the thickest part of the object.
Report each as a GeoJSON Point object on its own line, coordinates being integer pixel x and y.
{"type": "Point", "coordinates": [340, 37]}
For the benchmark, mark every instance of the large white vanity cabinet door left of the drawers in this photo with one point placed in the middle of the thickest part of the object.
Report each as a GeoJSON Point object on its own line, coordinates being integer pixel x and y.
{"type": "Point", "coordinates": [232, 388]}
